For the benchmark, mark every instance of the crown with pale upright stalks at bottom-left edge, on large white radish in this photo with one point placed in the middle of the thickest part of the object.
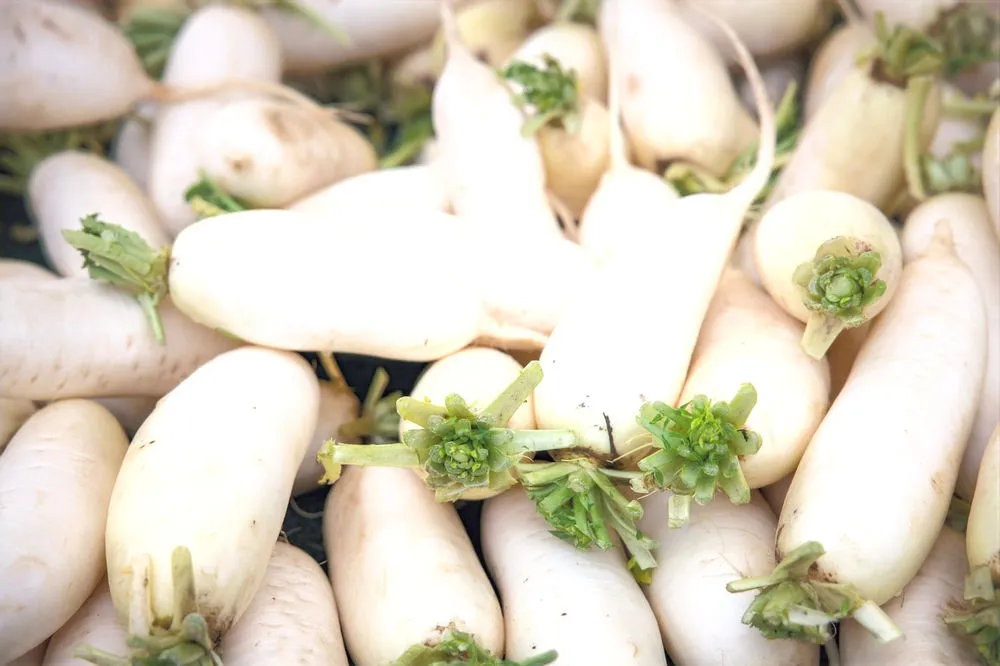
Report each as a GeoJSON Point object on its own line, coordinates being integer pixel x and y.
{"type": "Point", "coordinates": [185, 640]}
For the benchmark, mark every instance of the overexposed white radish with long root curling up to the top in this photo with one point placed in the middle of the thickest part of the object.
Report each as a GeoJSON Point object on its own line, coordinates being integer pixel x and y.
{"type": "Point", "coordinates": [600, 400]}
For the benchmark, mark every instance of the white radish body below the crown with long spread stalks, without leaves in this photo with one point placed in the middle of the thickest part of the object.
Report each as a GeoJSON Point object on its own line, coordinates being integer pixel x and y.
{"type": "Point", "coordinates": [389, 601]}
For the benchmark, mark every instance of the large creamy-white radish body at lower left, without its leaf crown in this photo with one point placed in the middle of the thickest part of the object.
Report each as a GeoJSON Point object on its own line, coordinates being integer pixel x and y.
{"type": "Point", "coordinates": [250, 412]}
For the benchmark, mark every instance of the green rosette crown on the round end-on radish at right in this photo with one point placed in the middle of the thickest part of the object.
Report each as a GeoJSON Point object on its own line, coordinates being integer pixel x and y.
{"type": "Point", "coordinates": [837, 286]}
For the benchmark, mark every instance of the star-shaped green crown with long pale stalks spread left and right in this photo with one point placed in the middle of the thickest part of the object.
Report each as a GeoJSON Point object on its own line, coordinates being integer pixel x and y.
{"type": "Point", "coordinates": [458, 448]}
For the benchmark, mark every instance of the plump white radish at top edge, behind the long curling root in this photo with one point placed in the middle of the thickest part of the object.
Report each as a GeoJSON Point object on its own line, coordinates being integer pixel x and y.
{"type": "Point", "coordinates": [657, 52]}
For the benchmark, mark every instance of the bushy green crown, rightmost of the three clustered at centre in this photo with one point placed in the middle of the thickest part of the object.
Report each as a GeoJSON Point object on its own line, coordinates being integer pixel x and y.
{"type": "Point", "coordinates": [699, 447]}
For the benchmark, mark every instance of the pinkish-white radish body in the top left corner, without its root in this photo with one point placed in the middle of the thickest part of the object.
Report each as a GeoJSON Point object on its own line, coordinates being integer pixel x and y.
{"type": "Point", "coordinates": [51, 52]}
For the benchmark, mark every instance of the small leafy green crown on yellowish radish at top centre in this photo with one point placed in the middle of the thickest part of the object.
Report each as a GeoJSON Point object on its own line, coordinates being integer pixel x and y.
{"type": "Point", "coordinates": [547, 95]}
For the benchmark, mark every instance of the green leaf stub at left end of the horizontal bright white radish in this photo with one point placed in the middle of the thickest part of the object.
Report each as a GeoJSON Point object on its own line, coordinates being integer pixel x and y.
{"type": "Point", "coordinates": [122, 258]}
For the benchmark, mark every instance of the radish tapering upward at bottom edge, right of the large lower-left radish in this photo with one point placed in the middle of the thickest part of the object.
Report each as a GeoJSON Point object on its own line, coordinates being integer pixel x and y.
{"type": "Point", "coordinates": [292, 620]}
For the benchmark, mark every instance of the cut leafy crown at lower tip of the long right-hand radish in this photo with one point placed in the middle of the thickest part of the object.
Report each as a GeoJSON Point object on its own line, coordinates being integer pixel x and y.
{"type": "Point", "coordinates": [790, 605]}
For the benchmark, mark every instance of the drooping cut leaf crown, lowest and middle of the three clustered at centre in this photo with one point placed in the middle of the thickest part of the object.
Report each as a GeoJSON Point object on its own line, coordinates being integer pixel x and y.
{"type": "Point", "coordinates": [579, 500]}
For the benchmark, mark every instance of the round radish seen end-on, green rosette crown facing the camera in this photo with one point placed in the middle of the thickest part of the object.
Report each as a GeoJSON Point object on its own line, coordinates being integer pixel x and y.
{"type": "Point", "coordinates": [836, 272]}
